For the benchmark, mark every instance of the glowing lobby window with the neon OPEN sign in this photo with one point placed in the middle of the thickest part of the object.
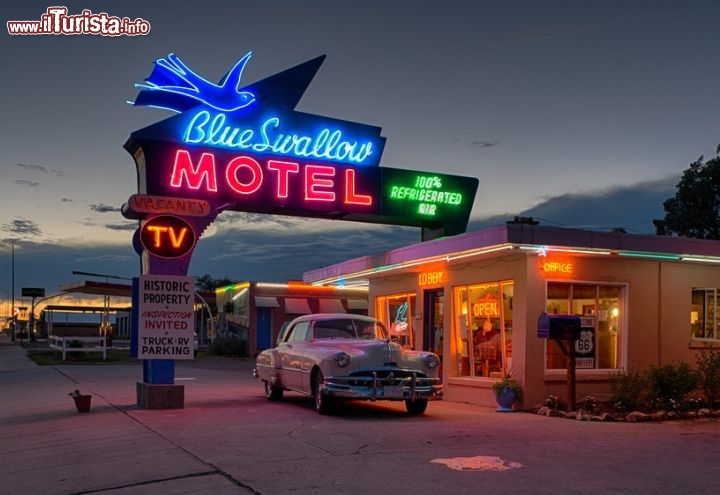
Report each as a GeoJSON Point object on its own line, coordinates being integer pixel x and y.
{"type": "Point", "coordinates": [483, 328]}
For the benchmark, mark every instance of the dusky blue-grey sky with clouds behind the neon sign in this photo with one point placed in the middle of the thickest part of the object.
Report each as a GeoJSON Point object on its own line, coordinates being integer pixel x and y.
{"type": "Point", "coordinates": [581, 113]}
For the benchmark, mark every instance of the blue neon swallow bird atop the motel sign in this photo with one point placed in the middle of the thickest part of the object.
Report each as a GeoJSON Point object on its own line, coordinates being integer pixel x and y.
{"type": "Point", "coordinates": [172, 85]}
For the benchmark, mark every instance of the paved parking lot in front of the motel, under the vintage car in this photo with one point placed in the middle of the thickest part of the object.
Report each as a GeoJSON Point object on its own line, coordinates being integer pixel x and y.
{"type": "Point", "coordinates": [229, 440]}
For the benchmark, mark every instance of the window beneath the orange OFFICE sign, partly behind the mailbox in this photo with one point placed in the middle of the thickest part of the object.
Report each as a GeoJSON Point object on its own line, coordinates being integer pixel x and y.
{"type": "Point", "coordinates": [601, 311]}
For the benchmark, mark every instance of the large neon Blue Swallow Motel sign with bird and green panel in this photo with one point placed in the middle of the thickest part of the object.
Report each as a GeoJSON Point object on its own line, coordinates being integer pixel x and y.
{"type": "Point", "coordinates": [244, 147]}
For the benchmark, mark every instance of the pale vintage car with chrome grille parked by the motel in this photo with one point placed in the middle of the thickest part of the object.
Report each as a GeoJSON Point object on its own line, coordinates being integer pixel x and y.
{"type": "Point", "coordinates": [345, 356]}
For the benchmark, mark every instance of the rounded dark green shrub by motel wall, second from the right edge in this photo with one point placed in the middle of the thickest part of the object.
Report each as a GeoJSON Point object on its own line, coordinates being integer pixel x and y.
{"type": "Point", "coordinates": [670, 383]}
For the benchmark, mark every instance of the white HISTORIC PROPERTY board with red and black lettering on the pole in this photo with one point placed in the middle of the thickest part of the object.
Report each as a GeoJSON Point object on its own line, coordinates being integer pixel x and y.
{"type": "Point", "coordinates": [166, 320]}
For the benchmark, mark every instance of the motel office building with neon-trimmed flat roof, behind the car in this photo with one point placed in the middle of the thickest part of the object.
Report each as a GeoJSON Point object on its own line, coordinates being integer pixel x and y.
{"type": "Point", "coordinates": [475, 299]}
